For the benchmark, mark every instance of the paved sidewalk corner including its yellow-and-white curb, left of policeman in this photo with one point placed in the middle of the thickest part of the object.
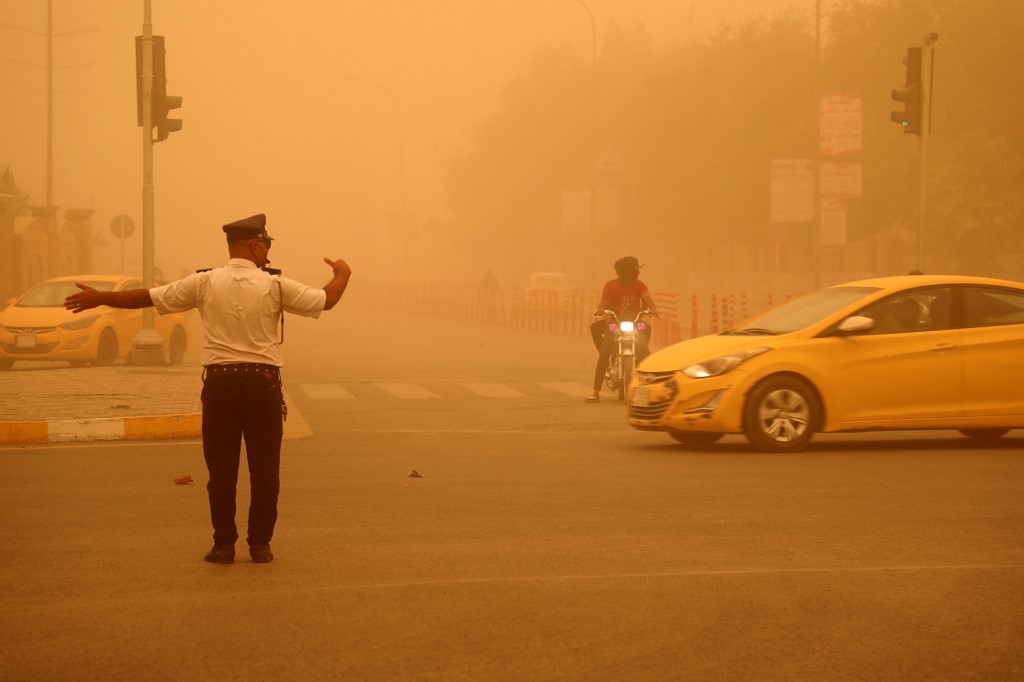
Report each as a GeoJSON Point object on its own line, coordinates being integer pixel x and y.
{"type": "Point", "coordinates": [52, 403]}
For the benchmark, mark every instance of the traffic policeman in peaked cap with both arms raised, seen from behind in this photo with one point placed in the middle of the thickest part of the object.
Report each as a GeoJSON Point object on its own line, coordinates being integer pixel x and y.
{"type": "Point", "coordinates": [242, 307]}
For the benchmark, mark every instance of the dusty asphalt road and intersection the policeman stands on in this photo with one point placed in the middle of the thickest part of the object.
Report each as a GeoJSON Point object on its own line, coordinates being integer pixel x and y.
{"type": "Point", "coordinates": [547, 541]}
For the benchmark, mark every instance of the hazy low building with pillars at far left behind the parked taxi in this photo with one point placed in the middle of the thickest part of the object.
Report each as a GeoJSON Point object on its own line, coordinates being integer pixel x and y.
{"type": "Point", "coordinates": [38, 242]}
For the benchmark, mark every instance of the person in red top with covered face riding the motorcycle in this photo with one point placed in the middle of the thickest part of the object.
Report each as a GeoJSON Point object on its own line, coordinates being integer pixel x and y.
{"type": "Point", "coordinates": [626, 295]}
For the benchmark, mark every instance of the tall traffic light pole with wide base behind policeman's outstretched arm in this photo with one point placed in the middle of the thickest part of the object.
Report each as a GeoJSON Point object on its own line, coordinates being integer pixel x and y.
{"type": "Point", "coordinates": [148, 346]}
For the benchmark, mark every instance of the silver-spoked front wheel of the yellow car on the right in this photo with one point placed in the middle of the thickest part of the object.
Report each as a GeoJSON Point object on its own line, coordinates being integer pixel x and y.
{"type": "Point", "coordinates": [782, 415]}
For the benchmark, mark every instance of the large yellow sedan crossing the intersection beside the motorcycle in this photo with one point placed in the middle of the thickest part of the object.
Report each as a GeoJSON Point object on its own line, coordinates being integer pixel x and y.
{"type": "Point", "coordinates": [890, 354]}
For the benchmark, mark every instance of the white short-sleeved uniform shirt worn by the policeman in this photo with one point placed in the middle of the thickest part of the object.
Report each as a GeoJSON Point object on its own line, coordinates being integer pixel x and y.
{"type": "Point", "coordinates": [241, 307]}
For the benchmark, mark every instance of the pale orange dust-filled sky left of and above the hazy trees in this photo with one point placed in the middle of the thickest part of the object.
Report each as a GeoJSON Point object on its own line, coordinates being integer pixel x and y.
{"type": "Point", "coordinates": [290, 109]}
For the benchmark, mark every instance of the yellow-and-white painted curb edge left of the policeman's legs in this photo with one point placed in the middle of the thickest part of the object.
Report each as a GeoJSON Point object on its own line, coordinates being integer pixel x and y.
{"type": "Point", "coordinates": [120, 429]}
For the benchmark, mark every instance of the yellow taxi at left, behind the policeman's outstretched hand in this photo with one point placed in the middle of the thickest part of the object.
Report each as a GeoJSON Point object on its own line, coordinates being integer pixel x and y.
{"type": "Point", "coordinates": [36, 326]}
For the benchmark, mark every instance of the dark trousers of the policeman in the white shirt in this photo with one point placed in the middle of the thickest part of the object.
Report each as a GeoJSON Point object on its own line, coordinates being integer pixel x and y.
{"type": "Point", "coordinates": [238, 405]}
